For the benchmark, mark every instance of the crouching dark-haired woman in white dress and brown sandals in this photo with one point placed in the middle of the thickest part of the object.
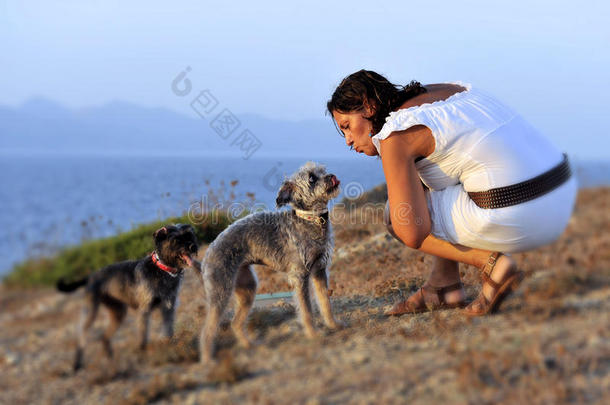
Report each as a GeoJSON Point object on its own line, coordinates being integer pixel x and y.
{"type": "Point", "coordinates": [492, 185]}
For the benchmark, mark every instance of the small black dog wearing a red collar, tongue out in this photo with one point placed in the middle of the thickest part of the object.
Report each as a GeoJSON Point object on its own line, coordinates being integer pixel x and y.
{"type": "Point", "coordinates": [144, 285]}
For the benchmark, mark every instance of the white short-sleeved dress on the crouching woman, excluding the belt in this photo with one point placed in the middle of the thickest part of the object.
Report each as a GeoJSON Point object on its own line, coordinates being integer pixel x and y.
{"type": "Point", "coordinates": [483, 144]}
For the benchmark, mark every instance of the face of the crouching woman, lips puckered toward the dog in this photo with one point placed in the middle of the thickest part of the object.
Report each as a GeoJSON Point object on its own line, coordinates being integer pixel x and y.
{"type": "Point", "coordinates": [357, 130]}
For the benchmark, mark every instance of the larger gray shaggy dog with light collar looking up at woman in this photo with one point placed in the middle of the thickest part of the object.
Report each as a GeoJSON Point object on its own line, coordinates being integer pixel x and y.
{"type": "Point", "coordinates": [298, 242]}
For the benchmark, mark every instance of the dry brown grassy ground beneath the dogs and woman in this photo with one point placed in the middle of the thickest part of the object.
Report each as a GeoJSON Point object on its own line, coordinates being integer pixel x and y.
{"type": "Point", "coordinates": [550, 342]}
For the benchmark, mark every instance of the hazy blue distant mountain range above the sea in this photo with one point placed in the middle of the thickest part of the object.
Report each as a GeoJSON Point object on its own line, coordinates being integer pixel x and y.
{"type": "Point", "coordinates": [42, 125]}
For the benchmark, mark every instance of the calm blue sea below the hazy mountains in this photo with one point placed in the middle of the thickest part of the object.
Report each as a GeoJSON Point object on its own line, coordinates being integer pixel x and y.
{"type": "Point", "coordinates": [49, 201]}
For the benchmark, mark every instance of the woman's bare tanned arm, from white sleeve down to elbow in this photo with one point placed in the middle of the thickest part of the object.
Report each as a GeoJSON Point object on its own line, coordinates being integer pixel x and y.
{"type": "Point", "coordinates": [408, 209]}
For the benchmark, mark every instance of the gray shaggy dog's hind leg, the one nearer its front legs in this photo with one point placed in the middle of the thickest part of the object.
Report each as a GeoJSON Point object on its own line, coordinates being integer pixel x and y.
{"type": "Point", "coordinates": [245, 291]}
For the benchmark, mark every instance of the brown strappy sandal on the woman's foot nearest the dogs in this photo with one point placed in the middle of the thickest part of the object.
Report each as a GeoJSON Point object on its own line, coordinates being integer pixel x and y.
{"type": "Point", "coordinates": [411, 306]}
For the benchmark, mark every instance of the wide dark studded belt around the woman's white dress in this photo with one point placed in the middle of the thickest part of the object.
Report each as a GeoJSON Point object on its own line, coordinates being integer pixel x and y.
{"type": "Point", "coordinates": [524, 191]}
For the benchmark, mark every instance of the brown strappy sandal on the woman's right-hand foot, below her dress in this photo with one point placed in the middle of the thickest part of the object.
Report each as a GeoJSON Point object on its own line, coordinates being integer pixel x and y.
{"type": "Point", "coordinates": [483, 306]}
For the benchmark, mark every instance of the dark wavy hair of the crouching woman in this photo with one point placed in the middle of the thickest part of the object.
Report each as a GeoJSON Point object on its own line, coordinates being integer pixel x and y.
{"type": "Point", "coordinates": [371, 87]}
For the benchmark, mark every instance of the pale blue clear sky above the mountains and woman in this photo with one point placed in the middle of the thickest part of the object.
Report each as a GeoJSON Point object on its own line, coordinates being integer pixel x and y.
{"type": "Point", "coordinates": [549, 60]}
